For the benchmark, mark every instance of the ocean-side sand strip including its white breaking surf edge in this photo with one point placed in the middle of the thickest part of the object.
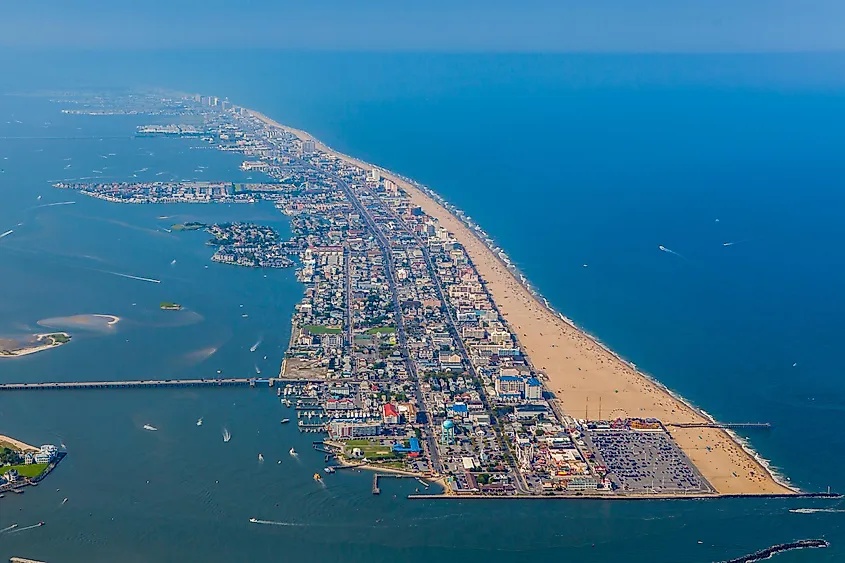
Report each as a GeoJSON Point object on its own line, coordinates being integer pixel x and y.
{"type": "Point", "coordinates": [506, 286]}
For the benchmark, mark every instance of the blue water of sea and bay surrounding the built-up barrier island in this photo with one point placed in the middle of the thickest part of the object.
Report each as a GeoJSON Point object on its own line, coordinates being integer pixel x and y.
{"type": "Point", "coordinates": [564, 160]}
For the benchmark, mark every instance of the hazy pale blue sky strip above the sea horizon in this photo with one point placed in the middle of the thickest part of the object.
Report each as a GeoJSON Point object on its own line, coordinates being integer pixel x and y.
{"type": "Point", "coordinates": [434, 25]}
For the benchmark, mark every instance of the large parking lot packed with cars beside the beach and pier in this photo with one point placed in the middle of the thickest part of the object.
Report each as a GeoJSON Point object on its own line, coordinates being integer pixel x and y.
{"type": "Point", "coordinates": [645, 462]}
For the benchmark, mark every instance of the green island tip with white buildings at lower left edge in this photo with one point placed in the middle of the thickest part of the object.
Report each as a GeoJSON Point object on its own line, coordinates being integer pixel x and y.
{"type": "Point", "coordinates": [22, 464]}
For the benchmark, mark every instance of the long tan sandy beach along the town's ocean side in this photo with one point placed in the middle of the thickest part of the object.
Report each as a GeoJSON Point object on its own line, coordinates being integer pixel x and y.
{"type": "Point", "coordinates": [580, 371]}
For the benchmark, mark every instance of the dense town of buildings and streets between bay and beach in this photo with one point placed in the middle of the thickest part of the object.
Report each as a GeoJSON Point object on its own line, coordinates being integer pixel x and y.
{"type": "Point", "coordinates": [397, 346]}
